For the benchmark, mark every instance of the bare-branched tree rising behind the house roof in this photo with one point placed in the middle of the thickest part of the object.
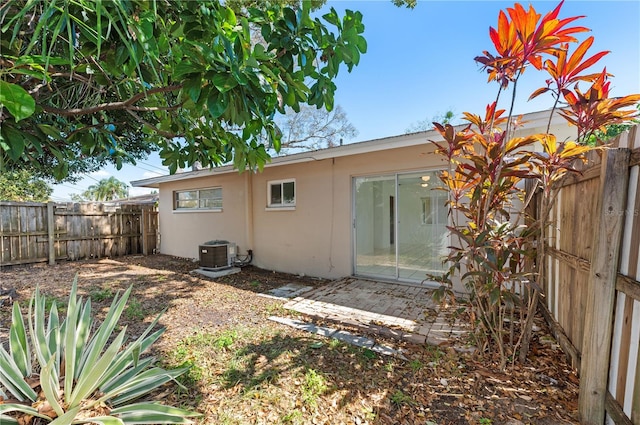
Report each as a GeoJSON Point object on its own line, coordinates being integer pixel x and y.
{"type": "Point", "coordinates": [313, 128]}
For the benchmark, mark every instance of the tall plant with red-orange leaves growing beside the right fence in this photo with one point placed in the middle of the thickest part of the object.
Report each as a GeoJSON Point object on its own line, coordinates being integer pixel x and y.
{"type": "Point", "coordinates": [499, 249]}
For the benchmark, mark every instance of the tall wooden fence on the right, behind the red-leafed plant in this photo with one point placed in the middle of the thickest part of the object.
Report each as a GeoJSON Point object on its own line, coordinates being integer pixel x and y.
{"type": "Point", "coordinates": [592, 285]}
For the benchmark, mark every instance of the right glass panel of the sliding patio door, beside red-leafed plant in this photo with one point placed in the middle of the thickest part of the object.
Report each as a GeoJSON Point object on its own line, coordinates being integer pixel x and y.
{"type": "Point", "coordinates": [421, 225]}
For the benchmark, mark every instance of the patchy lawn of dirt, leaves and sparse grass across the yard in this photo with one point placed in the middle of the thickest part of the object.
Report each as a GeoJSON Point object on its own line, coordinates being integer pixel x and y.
{"type": "Point", "coordinates": [247, 369]}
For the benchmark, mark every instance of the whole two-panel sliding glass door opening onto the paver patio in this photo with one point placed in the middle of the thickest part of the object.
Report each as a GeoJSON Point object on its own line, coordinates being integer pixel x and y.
{"type": "Point", "coordinates": [399, 225]}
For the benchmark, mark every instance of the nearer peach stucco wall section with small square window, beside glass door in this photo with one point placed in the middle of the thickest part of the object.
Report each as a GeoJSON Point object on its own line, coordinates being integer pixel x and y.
{"type": "Point", "coordinates": [316, 238]}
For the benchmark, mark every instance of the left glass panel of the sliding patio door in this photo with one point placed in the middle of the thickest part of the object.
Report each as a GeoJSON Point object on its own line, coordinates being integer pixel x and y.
{"type": "Point", "coordinates": [374, 221]}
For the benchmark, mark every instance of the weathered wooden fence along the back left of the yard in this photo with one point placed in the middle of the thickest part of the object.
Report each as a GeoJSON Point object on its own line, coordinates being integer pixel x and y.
{"type": "Point", "coordinates": [39, 232]}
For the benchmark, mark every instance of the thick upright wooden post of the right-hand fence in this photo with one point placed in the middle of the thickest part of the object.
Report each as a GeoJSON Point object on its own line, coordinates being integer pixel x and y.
{"type": "Point", "coordinates": [596, 346]}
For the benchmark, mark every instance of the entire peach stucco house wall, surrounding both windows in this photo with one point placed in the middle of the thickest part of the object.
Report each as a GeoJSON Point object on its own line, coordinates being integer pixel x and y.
{"type": "Point", "coordinates": [316, 237]}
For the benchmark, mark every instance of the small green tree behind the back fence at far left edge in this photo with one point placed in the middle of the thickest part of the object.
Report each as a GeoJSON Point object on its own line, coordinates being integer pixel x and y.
{"type": "Point", "coordinates": [21, 186]}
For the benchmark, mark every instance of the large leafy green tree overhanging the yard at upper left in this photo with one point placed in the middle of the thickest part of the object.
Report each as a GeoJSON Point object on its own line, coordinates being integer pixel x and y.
{"type": "Point", "coordinates": [86, 83]}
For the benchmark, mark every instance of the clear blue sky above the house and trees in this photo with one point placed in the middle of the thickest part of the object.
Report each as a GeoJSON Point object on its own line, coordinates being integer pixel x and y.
{"type": "Point", "coordinates": [419, 64]}
